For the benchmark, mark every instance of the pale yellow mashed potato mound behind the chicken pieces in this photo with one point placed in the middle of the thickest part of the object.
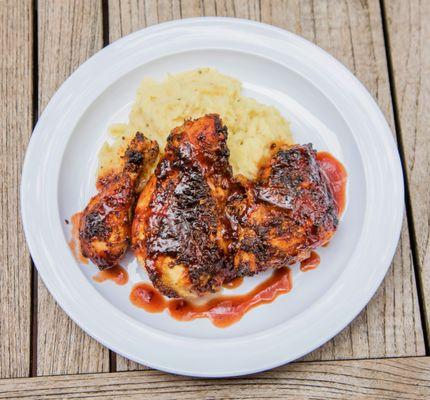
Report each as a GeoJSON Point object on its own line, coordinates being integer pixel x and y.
{"type": "Point", "coordinates": [161, 106]}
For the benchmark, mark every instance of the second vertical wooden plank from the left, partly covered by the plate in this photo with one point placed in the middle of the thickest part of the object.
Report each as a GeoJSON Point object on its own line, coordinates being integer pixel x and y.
{"type": "Point", "coordinates": [69, 33]}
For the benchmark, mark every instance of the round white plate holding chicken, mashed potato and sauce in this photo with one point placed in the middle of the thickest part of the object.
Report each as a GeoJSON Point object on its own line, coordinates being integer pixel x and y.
{"type": "Point", "coordinates": [326, 105]}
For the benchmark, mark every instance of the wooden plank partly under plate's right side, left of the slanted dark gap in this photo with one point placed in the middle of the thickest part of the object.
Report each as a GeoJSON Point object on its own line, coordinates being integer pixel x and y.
{"type": "Point", "coordinates": [352, 32]}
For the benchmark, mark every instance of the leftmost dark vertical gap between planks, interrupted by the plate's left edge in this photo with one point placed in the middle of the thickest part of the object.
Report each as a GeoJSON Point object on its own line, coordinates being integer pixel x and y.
{"type": "Point", "coordinates": [34, 274]}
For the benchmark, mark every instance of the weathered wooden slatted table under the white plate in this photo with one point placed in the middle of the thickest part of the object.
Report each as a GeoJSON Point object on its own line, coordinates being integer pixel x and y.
{"type": "Point", "coordinates": [384, 353]}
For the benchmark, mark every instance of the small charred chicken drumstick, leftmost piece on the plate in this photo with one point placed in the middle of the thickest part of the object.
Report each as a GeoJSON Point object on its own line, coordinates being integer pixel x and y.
{"type": "Point", "coordinates": [105, 225]}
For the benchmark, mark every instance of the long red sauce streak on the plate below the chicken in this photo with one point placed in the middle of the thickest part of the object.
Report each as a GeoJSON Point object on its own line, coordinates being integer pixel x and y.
{"type": "Point", "coordinates": [223, 311]}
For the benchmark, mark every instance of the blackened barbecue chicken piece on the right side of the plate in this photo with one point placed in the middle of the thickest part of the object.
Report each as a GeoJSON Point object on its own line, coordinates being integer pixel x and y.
{"type": "Point", "coordinates": [288, 211]}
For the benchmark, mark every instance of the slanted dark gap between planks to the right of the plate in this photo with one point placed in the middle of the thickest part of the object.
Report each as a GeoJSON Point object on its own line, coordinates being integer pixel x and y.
{"type": "Point", "coordinates": [408, 202]}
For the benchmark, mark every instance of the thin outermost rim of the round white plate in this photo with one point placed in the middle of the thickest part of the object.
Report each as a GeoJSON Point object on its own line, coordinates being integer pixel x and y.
{"type": "Point", "coordinates": [26, 191]}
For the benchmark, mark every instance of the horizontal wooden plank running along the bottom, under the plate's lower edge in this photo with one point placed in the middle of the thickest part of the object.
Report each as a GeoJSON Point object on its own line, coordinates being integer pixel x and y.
{"type": "Point", "coordinates": [407, 378]}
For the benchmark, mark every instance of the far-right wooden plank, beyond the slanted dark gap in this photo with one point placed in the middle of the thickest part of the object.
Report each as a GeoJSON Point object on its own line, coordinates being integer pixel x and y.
{"type": "Point", "coordinates": [409, 40]}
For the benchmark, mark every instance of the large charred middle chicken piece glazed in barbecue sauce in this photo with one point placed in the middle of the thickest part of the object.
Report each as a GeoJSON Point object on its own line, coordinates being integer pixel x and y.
{"type": "Point", "coordinates": [179, 229]}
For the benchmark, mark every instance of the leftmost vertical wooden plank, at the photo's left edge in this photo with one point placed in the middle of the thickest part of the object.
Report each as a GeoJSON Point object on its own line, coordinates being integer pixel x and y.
{"type": "Point", "coordinates": [16, 89]}
